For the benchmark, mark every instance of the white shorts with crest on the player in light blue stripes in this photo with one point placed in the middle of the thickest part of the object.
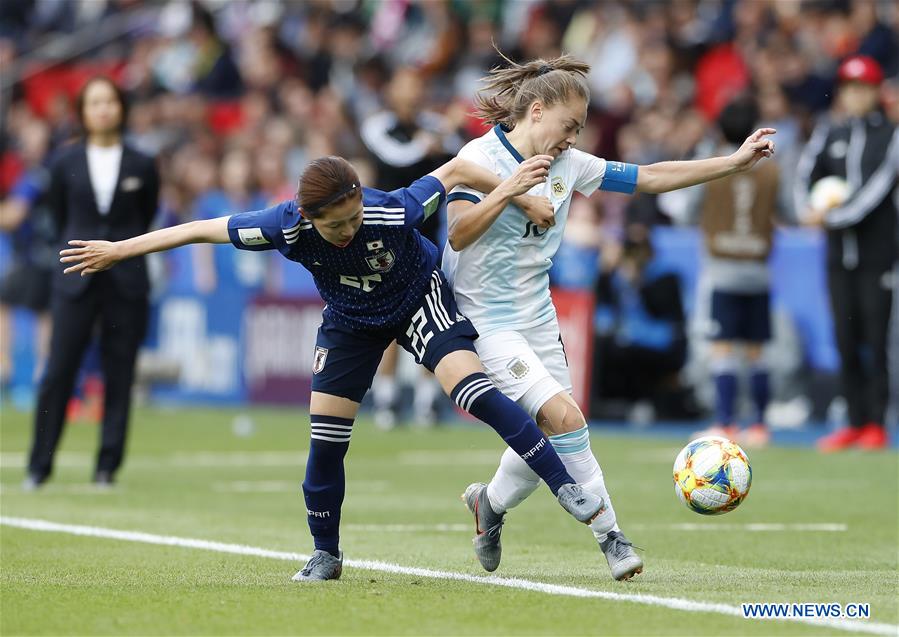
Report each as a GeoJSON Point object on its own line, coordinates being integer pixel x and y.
{"type": "Point", "coordinates": [527, 366]}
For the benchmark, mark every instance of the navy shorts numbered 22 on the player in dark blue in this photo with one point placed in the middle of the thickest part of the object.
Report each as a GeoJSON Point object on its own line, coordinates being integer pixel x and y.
{"type": "Point", "coordinates": [346, 360]}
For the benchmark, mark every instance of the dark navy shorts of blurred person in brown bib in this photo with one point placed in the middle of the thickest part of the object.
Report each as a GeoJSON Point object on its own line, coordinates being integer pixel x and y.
{"type": "Point", "coordinates": [741, 317]}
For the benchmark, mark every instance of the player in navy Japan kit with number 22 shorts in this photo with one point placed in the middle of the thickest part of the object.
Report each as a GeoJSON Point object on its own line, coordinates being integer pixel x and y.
{"type": "Point", "coordinates": [381, 283]}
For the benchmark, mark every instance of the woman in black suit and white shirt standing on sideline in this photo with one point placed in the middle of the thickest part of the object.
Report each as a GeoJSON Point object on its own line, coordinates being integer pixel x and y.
{"type": "Point", "coordinates": [101, 188]}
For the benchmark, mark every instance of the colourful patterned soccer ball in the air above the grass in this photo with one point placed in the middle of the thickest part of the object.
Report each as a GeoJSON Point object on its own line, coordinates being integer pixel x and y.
{"type": "Point", "coordinates": [712, 475]}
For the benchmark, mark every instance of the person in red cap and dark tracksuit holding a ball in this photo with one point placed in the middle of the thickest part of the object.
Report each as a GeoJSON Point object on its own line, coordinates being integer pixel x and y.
{"type": "Point", "coordinates": [860, 147]}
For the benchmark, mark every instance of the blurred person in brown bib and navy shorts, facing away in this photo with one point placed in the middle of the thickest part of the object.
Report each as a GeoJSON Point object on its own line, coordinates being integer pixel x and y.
{"type": "Point", "coordinates": [737, 216]}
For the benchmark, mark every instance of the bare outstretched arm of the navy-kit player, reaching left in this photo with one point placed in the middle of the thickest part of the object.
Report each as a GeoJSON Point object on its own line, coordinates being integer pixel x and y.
{"type": "Point", "coordinates": [88, 257]}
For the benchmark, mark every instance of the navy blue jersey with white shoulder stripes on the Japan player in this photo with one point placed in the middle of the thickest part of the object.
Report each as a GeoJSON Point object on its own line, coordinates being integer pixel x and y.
{"type": "Point", "coordinates": [376, 281]}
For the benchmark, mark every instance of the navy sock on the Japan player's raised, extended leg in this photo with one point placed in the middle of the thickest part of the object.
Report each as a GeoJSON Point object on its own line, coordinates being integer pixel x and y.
{"type": "Point", "coordinates": [478, 396]}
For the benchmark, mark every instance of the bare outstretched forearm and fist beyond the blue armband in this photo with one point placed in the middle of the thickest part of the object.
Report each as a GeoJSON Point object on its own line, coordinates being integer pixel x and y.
{"type": "Point", "coordinates": [672, 175]}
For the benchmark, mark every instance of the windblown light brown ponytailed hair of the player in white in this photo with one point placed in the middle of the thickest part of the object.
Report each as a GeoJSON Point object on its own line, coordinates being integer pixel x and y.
{"type": "Point", "coordinates": [510, 90]}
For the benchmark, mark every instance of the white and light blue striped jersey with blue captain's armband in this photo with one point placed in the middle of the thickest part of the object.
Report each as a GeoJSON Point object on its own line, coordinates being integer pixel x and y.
{"type": "Point", "coordinates": [501, 281]}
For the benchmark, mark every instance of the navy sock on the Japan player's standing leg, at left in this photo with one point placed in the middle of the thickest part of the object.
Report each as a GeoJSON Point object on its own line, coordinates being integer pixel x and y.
{"type": "Point", "coordinates": [325, 483]}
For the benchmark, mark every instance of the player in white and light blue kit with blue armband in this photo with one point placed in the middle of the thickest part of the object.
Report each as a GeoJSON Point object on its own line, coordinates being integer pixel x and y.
{"type": "Point", "coordinates": [498, 263]}
